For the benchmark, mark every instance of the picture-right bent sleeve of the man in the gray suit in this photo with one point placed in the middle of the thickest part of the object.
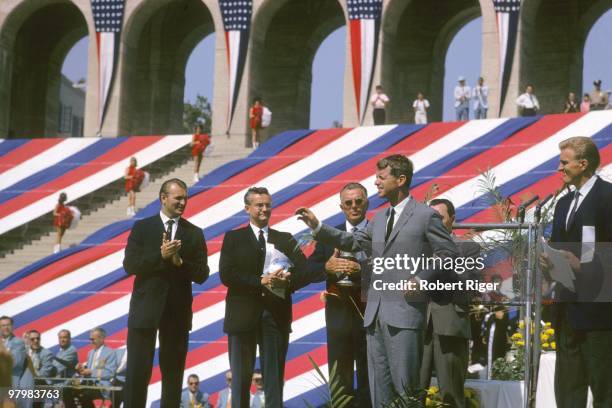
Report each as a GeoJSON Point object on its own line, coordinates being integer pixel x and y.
{"type": "Point", "coordinates": [442, 246]}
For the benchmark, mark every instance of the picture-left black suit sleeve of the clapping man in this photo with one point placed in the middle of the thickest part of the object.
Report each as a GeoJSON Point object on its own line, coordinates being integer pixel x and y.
{"type": "Point", "coordinates": [141, 261]}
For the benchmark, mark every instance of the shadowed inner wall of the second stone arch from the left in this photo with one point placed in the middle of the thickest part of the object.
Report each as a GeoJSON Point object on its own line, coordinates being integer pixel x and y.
{"type": "Point", "coordinates": [158, 38]}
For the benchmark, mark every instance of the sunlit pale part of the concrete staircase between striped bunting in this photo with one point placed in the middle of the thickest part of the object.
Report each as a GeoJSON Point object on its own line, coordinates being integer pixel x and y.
{"type": "Point", "coordinates": [225, 150]}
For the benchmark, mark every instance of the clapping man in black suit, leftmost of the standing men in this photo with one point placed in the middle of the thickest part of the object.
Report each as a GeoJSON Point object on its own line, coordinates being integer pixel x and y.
{"type": "Point", "coordinates": [166, 253]}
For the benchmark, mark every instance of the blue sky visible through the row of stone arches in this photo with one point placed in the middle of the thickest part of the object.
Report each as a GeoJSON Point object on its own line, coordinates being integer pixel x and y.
{"type": "Point", "coordinates": [463, 58]}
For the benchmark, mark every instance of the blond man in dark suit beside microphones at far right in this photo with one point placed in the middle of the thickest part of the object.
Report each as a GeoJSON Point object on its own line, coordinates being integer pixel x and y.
{"type": "Point", "coordinates": [582, 227]}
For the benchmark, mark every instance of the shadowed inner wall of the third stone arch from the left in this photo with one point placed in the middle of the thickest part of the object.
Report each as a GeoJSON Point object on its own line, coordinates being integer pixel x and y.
{"type": "Point", "coordinates": [285, 37]}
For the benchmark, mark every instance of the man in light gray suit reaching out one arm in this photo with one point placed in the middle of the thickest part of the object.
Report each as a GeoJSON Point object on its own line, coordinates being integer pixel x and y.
{"type": "Point", "coordinates": [394, 316]}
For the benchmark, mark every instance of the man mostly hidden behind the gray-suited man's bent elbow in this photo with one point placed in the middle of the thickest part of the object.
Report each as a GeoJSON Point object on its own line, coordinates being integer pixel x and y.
{"type": "Point", "coordinates": [448, 322]}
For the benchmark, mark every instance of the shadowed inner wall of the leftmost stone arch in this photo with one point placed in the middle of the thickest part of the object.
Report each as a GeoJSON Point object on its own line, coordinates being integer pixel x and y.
{"type": "Point", "coordinates": [34, 40]}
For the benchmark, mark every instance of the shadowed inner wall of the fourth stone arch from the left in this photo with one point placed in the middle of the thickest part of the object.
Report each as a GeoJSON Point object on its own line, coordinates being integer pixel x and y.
{"type": "Point", "coordinates": [415, 38]}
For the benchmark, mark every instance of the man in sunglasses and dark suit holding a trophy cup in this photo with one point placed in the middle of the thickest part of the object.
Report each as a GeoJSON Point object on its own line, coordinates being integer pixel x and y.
{"type": "Point", "coordinates": [346, 343]}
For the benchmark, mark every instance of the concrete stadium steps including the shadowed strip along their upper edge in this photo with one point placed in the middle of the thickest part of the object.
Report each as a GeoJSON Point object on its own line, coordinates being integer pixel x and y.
{"type": "Point", "coordinates": [106, 206]}
